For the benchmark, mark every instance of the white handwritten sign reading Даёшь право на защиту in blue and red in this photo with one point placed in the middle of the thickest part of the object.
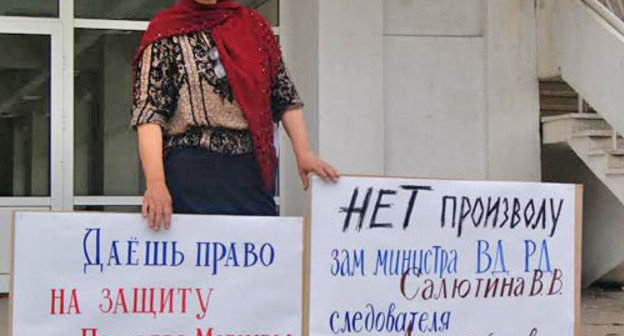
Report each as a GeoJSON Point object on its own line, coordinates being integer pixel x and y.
{"type": "Point", "coordinates": [108, 274]}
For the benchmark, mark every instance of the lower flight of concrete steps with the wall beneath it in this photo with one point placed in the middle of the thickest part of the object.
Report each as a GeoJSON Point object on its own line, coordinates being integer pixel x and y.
{"type": "Point", "coordinates": [579, 146]}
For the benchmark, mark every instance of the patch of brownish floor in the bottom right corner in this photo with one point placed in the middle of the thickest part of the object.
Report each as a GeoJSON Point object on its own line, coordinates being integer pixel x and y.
{"type": "Point", "coordinates": [602, 312]}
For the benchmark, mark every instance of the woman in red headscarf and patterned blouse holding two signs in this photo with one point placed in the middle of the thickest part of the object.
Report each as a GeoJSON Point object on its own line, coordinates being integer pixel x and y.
{"type": "Point", "coordinates": [209, 83]}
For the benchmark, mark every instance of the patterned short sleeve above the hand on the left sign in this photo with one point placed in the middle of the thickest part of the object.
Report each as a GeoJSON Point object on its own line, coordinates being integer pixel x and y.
{"type": "Point", "coordinates": [154, 95]}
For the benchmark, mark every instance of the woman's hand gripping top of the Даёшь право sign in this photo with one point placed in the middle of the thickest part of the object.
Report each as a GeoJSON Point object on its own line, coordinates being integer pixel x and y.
{"type": "Point", "coordinates": [157, 206]}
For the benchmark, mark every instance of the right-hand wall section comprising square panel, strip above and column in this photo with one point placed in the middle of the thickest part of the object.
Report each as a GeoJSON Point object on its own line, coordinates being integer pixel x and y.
{"type": "Point", "coordinates": [462, 91]}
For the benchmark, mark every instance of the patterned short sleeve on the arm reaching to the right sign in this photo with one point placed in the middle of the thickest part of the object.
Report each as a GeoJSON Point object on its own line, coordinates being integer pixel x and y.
{"type": "Point", "coordinates": [284, 95]}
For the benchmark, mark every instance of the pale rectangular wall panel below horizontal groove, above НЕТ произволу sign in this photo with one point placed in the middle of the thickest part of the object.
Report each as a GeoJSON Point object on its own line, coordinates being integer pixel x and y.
{"type": "Point", "coordinates": [435, 106]}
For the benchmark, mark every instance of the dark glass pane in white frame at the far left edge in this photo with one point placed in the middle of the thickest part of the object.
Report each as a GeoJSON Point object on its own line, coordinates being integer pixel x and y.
{"type": "Point", "coordinates": [25, 115]}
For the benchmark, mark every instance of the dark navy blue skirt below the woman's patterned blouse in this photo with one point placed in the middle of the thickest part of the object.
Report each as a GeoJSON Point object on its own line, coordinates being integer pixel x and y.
{"type": "Point", "coordinates": [204, 182]}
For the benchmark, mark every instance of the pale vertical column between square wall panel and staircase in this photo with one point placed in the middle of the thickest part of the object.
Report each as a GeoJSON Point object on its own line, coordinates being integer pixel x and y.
{"type": "Point", "coordinates": [513, 95]}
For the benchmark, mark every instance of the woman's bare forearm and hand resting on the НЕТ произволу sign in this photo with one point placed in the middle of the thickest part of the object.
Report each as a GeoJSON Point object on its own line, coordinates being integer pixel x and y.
{"type": "Point", "coordinates": [307, 161]}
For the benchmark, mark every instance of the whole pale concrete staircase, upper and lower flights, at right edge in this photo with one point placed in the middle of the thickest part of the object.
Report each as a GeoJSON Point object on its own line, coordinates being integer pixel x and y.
{"type": "Point", "coordinates": [582, 41]}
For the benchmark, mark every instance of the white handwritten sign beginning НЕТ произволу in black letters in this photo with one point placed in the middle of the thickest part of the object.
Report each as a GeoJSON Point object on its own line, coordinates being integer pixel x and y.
{"type": "Point", "coordinates": [399, 256]}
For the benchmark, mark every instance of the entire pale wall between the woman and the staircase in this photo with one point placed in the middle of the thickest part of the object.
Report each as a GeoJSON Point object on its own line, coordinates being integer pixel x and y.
{"type": "Point", "coordinates": [430, 88]}
